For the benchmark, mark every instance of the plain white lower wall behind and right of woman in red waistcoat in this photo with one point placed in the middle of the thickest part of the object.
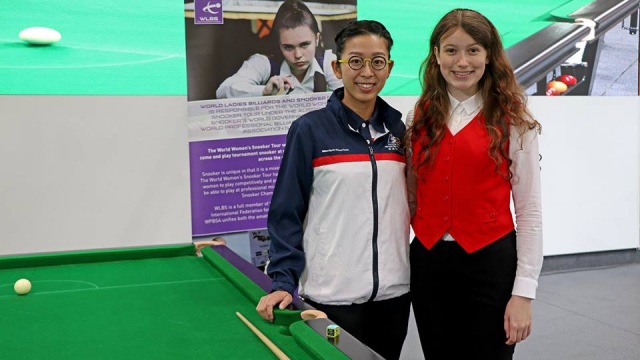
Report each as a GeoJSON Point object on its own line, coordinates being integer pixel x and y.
{"type": "Point", "coordinates": [590, 171]}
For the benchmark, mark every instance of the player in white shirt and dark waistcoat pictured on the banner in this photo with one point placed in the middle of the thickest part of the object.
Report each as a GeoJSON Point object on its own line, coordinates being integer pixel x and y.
{"type": "Point", "coordinates": [299, 66]}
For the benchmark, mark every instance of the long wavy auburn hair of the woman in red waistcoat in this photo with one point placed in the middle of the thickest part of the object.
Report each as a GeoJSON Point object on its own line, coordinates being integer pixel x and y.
{"type": "Point", "coordinates": [504, 100]}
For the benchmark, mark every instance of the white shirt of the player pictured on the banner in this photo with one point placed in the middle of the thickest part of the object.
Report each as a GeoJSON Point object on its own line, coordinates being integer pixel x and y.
{"type": "Point", "coordinates": [250, 79]}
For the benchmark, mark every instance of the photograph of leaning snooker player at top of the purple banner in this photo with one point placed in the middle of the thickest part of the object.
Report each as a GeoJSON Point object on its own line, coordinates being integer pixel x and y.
{"type": "Point", "coordinates": [236, 48]}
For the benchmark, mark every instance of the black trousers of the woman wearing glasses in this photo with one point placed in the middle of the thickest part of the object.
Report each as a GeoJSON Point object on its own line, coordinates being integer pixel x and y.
{"type": "Point", "coordinates": [381, 325]}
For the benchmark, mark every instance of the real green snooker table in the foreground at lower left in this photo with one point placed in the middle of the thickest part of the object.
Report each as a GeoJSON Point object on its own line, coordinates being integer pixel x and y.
{"type": "Point", "coordinates": [160, 302]}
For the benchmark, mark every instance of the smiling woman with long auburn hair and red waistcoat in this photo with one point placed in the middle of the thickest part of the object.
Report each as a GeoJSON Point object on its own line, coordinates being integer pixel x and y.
{"type": "Point", "coordinates": [474, 149]}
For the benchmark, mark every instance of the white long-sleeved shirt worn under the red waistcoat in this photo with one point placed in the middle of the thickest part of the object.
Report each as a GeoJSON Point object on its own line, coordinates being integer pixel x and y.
{"type": "Point", "coordinates": [525, 191]}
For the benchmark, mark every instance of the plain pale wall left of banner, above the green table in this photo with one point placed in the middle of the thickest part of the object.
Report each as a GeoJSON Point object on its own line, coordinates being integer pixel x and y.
{"type": "Point", "coordinates": [83, 172]}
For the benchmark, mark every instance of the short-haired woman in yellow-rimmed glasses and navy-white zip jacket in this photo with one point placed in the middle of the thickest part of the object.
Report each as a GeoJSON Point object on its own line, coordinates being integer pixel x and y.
{"type": "Point", "coordinates": [339, 216]}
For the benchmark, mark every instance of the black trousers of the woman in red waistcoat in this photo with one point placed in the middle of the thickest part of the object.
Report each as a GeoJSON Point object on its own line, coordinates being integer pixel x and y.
{"type": "Point", "coordinates": [459, 299]}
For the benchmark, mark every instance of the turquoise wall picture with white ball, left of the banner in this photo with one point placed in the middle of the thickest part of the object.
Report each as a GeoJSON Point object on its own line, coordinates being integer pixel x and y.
{"type": "Point", "coordinates": [118, 47]}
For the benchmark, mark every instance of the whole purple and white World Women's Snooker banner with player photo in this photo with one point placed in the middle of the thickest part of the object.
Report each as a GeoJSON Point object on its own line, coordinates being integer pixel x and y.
{"type": "Point", "coordinates": [253, 67]}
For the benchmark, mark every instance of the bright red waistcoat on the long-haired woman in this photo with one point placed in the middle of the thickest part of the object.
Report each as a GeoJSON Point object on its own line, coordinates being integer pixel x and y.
{"type": "Point", "coordinates": [462, 193]}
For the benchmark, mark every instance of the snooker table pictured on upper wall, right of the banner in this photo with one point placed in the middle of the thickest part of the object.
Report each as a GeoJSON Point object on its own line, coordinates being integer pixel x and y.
{"type": "Point", "coordinates": [538, 35]}
